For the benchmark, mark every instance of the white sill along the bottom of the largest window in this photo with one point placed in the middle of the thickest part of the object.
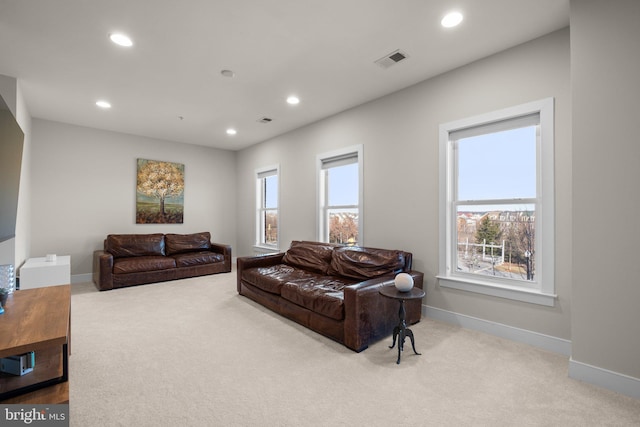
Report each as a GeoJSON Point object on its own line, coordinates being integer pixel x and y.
{"type": "Point", "coordinates": [518, 294]}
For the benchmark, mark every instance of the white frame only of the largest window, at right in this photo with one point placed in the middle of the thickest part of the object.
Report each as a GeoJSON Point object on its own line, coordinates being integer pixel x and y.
{"type": "Point", "coordinates": [543, 291]}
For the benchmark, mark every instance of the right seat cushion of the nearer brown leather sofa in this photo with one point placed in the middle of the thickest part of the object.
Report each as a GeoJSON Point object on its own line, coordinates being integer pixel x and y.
{"type": "Point", "coordinates": [320, 294]}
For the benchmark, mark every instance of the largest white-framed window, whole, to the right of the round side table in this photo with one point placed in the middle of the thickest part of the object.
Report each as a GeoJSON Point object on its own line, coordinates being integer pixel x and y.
{"type": "Point", "coordinates": [496, 198]}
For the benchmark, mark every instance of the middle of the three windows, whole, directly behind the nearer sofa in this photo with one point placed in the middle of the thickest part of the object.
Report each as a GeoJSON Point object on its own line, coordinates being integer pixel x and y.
{"type": "Point", "coordinates": [340, 196]}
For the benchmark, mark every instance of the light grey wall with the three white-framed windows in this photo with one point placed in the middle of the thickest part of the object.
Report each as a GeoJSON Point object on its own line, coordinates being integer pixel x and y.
{"type": "Point", "coordinates": [400, 137]}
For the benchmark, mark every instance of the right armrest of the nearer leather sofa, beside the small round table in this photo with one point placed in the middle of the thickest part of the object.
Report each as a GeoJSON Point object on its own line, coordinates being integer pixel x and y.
{"type": "Point", "coordinates": [369, 315]}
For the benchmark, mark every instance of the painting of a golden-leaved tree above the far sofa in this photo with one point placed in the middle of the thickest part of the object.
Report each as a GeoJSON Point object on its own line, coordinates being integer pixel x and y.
{"type": "Point", "coordinates": [159, 192]}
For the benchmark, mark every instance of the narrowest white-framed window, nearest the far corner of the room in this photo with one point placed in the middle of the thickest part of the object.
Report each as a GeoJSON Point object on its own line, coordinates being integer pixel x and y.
{"type": "Point", "coordinates": [267, 207]}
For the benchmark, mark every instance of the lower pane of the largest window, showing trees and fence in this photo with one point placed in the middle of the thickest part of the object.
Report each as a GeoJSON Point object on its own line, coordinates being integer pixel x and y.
{"type": "Point", "coordinates": [496, 240]}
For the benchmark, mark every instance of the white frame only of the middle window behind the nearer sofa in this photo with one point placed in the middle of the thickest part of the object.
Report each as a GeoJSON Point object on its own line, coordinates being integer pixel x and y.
{"type": "Point", "coordinates": [322, 231]}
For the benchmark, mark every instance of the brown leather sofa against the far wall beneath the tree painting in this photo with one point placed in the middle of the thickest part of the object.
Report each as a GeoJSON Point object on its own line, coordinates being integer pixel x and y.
{"type": "Point", "coordinates": [135, 259]}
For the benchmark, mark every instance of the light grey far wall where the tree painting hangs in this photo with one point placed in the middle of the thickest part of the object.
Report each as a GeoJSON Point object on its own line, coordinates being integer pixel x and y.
{"type": "Point", "coordinates": [83, 188]}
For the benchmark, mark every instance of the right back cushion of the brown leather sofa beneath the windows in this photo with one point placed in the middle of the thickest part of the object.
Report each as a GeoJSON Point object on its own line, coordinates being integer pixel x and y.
{"type": "Point", "coordinates": [365, 263]}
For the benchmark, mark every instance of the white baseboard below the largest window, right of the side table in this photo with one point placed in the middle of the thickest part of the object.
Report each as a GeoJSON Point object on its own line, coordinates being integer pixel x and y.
{"type": "Point", "coordinates": [545, 342]}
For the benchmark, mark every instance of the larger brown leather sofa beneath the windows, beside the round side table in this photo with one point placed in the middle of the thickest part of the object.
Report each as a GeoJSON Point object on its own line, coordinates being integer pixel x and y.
{"type": "Point", "coordinates": [331, 289]}
